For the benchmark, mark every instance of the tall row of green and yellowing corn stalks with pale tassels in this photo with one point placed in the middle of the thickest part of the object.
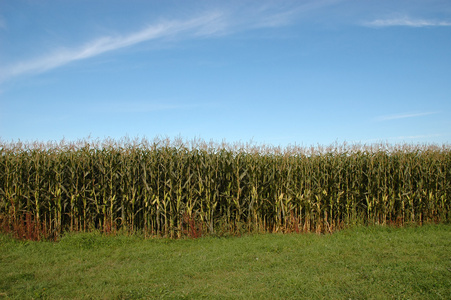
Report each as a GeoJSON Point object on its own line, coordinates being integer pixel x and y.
{"type": "Point", "coordinates": [174, 188]}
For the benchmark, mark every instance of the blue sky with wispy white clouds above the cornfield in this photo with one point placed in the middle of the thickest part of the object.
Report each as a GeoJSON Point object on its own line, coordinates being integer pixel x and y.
{"type": "Point", "coordinates": [275, 72]}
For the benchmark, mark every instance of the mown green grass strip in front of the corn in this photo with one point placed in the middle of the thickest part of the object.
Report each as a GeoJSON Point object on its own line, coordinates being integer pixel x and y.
{"type": "Point", "coordinates": [357, 263]}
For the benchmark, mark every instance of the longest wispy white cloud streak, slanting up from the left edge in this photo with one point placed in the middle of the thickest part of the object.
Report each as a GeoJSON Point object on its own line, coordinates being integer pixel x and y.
{"type": "Point", "coordinates": [213, 23]}
